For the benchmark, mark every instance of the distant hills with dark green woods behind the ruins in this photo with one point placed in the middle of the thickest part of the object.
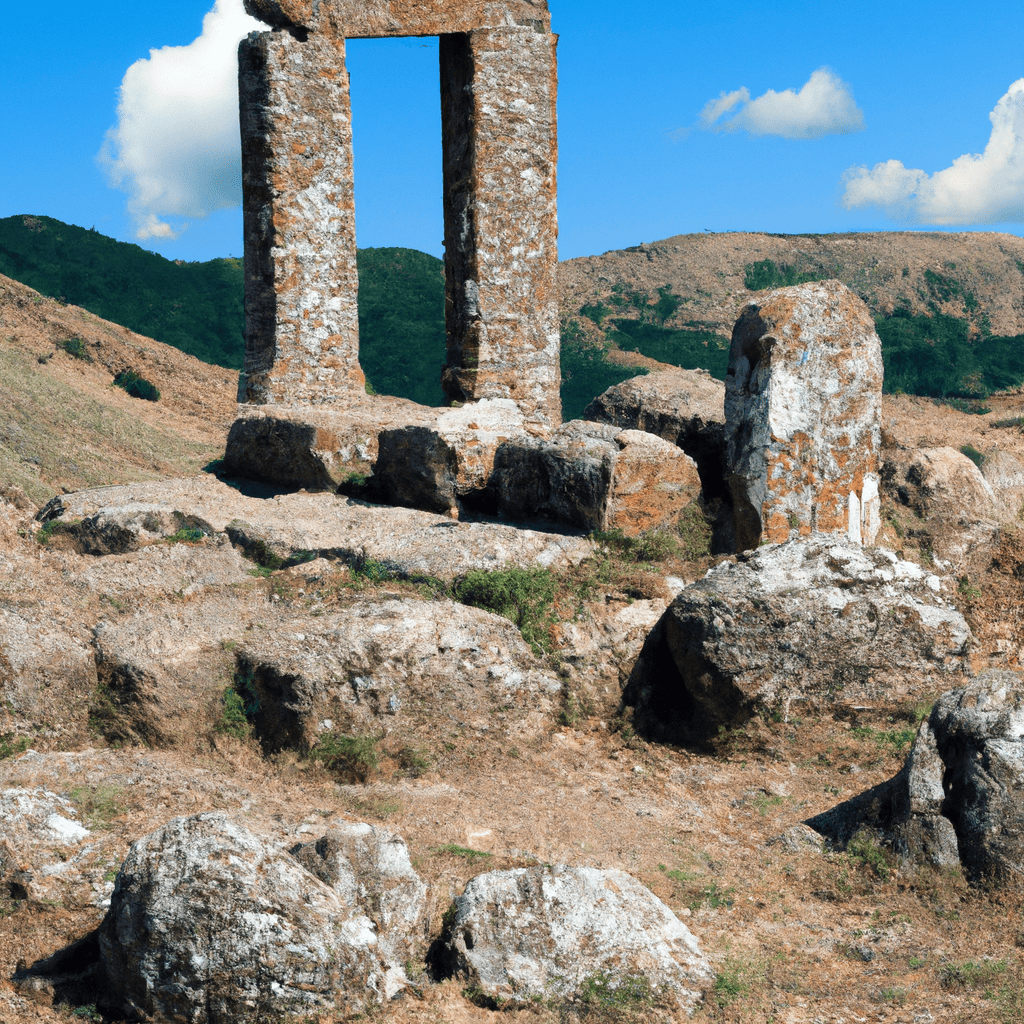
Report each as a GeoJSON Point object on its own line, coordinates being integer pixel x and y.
{"type": "Point", "coordinates": [950, 309]}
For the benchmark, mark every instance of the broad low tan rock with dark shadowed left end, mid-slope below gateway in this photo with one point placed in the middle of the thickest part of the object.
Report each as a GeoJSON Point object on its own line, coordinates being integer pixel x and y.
{"type": "Point", "coordinates": [379, 663]}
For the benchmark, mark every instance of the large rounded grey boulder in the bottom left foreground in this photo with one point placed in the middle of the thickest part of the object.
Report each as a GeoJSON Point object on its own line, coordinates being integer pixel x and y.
{"type": "Point", "coordinates": [209, 923]}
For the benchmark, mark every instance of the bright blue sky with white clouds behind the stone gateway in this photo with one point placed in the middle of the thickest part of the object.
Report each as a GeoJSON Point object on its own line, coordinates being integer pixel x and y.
{"type": "Point", "coordinates": [901, 116]}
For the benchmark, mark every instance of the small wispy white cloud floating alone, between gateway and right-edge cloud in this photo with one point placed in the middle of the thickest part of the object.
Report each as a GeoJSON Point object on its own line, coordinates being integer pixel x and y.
{"type": "Point", "coordinates": [824, 107]}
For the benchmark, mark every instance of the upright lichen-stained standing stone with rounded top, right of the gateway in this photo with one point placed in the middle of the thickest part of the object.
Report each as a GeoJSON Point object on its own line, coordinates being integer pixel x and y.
{"type": "Point", "coordinates": [803, 400]}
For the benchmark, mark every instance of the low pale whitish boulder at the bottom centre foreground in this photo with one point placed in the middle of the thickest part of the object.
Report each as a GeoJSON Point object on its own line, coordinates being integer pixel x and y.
{"type": "Point", "coordinates": [538, 933]}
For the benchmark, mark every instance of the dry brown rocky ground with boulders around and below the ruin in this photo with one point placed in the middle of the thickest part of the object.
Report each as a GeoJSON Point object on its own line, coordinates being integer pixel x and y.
{"type": "Point", "coordinates": [302, 712]}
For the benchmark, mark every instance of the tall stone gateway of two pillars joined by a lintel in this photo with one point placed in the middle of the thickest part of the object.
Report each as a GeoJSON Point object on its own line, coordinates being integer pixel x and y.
{"type": "Point", "coordinates": [498, 81]}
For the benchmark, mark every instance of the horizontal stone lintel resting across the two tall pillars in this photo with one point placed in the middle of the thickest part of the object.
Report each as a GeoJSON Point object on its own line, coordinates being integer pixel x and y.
{"type": "Point", "coordinates": [381, 19]}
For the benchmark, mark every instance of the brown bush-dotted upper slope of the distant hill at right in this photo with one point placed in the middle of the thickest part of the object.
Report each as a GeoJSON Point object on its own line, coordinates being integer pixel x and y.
{"type": "Point", "coordinates": [978, 276]}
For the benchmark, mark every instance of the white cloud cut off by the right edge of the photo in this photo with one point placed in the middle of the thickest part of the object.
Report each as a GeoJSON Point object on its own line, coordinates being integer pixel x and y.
{"type": "Point", "coordinates": [985, 189]}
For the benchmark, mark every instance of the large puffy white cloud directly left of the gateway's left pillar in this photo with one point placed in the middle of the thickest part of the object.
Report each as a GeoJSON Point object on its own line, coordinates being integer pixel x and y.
{"type": "Point", "coordinates": [176, 148]}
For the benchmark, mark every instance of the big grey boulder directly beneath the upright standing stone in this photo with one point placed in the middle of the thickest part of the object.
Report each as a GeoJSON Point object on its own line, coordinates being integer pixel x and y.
{"type": "Point", "coordinates": [816, 622]}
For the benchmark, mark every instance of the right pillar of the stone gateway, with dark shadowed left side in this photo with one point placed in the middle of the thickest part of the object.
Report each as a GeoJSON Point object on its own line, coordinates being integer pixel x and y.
{"type": "Point", "coordinates": [500, 151]}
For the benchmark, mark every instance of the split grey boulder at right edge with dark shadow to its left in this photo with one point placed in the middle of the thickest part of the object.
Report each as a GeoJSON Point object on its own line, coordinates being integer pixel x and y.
{"type": "Point", "coordinates": [959, 799]}
